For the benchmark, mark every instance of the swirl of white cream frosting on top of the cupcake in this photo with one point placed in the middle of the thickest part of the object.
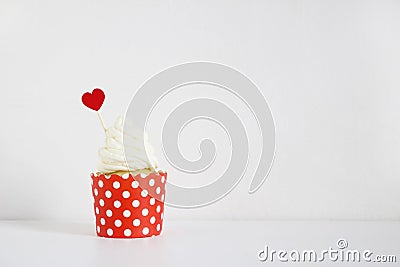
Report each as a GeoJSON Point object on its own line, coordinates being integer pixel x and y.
{"type": "Point", "coordinates": [112, 156]}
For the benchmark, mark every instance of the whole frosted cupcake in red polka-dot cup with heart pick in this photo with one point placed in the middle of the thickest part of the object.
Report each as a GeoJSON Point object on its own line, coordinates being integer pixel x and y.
{"type": "Point", "coordinates": [129, 191]}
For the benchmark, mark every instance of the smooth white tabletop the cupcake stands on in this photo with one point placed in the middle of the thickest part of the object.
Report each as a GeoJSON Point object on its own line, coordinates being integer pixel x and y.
{"type": "Point", "coordinates": [188, 243]}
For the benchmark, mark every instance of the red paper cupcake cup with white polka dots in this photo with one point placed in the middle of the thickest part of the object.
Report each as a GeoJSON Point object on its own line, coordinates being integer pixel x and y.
{"type": "Point", "coordinates": [128, 206]}
